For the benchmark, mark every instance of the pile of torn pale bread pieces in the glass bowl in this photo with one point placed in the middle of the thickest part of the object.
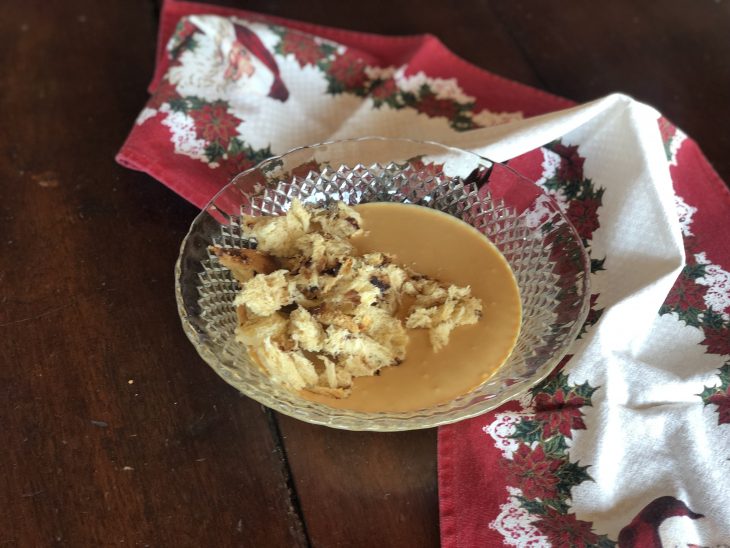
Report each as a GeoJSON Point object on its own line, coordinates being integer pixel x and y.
{"type": "Point", "coordinates": [313, 314]}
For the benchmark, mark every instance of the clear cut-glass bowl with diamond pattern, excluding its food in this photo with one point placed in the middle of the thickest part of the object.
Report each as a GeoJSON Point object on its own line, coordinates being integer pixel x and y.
{"type": "Point", "coordinates": [527, 226]}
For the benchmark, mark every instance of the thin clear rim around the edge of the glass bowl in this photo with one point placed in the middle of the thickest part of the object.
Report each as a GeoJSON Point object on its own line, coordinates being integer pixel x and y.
{"type": "Point", "coordinates": [395, 424]}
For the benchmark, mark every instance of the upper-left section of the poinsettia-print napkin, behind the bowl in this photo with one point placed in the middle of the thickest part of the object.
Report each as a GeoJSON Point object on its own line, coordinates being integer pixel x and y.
{"type": "Point", "coordinates": [231, 92]}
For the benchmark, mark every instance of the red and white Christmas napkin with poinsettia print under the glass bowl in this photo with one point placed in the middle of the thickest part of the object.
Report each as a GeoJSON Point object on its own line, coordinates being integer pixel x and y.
{"type": "Point", "coordinates": [628, 441]}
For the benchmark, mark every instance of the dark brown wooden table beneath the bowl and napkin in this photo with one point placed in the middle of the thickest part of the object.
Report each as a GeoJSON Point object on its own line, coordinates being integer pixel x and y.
{"type": "Point", "coordinates": [114, 431]}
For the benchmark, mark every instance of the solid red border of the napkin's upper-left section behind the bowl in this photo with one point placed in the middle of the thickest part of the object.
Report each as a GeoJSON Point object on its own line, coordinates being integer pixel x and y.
{"type": "Point", "coordinates": [148, 147]}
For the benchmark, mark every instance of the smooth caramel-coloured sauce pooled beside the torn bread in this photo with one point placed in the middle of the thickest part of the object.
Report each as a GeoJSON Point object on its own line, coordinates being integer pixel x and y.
{"type": "Point", "coordinates": [449, 250]}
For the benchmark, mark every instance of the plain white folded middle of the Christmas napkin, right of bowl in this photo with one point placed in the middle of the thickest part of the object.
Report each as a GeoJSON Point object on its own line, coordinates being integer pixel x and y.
{"type": "Point", "coordinates": [648, 434]}
